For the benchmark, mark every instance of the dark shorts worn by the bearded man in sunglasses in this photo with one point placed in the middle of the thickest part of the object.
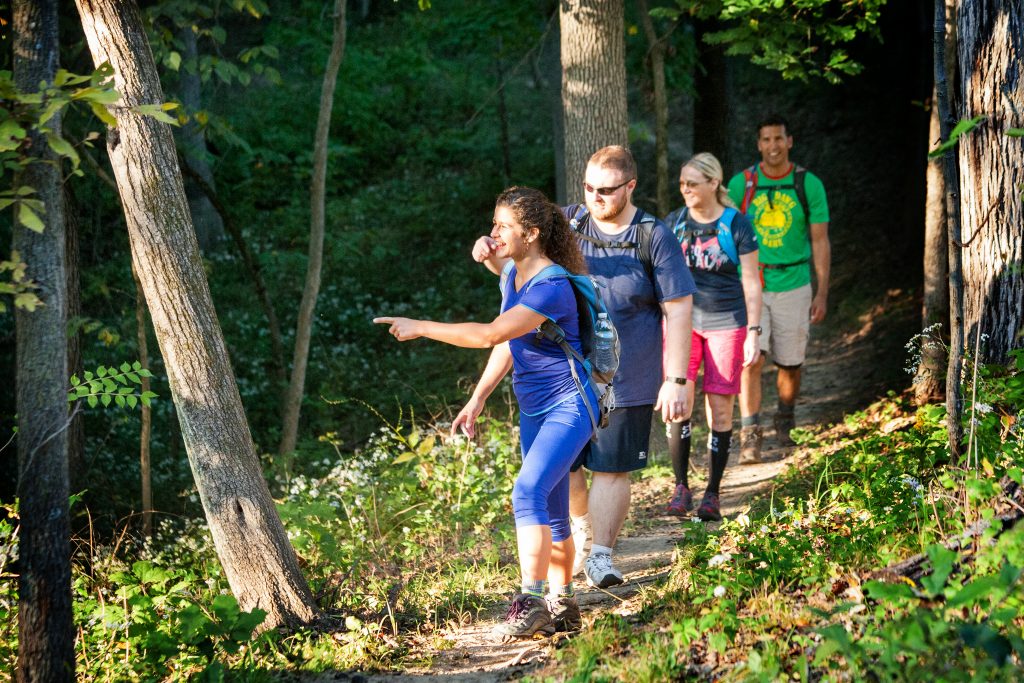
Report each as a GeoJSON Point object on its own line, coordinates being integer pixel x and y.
{"type": "Point", "coordinates": [623, 446]}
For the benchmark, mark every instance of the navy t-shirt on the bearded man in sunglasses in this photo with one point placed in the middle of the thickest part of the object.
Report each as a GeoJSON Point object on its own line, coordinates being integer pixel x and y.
{"type": "Point", "coordinates": [634, 301]}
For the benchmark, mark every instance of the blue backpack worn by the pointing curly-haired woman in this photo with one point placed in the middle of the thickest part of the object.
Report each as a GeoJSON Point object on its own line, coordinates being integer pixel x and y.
{"type": "Point", "coordinates": [589, 306]}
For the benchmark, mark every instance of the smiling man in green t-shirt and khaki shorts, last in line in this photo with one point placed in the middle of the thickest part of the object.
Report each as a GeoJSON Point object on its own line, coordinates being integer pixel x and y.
{"type": "Point", "coordinates": [790, 212]}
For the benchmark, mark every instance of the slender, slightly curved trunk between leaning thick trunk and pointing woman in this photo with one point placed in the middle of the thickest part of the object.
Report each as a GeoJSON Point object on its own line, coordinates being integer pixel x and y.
{"type": "Point", "coordinates": [304, 327]}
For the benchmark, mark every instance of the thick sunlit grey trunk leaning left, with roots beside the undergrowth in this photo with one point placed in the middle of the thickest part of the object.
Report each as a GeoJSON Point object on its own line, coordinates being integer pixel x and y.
{"type": "Point", "coordinates": [259, 561]}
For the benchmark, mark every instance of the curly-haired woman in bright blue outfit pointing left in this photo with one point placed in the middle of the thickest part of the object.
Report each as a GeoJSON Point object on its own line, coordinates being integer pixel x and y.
{"type": "Point", "coordinates": [554, 423]}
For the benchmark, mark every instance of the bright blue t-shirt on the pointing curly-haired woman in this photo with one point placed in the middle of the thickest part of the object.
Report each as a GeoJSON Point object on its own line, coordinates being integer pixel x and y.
{"type": "Point", "coordinates": [541, 376]}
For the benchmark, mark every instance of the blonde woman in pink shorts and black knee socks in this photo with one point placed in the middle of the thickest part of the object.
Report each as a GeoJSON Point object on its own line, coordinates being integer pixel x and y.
{"type": "Point", "coordinates": [717, 240]}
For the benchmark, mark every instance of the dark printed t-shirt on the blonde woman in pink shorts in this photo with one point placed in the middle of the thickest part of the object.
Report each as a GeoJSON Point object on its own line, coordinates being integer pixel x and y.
{"type": "Point", "coordinates": [719, 303]}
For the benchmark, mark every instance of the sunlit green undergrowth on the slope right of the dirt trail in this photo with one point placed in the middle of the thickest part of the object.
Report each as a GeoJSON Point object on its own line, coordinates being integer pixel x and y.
{"type": "Point", "coordinates": [786, 592]}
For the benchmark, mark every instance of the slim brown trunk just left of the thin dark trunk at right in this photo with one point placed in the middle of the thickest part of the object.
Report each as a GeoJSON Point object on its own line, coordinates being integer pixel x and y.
{"type": "Point", "coordinates": [928, 385]}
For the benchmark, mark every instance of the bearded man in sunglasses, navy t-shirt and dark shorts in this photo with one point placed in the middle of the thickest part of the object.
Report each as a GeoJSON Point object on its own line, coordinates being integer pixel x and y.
{"type": "Point", "coordinates": [638, 261]}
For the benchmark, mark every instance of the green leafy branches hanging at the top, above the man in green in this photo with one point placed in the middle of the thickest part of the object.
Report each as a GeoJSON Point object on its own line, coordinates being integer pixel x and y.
{"type": "Point", "coordinates": [800, 39]}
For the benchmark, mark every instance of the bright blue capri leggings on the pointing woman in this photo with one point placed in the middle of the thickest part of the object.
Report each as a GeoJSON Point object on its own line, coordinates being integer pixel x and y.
{"type": "Point", "coordinates": [551, 443]}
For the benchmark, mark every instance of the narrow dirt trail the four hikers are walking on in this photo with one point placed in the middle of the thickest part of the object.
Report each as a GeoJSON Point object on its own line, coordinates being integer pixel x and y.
{"type": "Point", "coordinates": [837, 380]}
